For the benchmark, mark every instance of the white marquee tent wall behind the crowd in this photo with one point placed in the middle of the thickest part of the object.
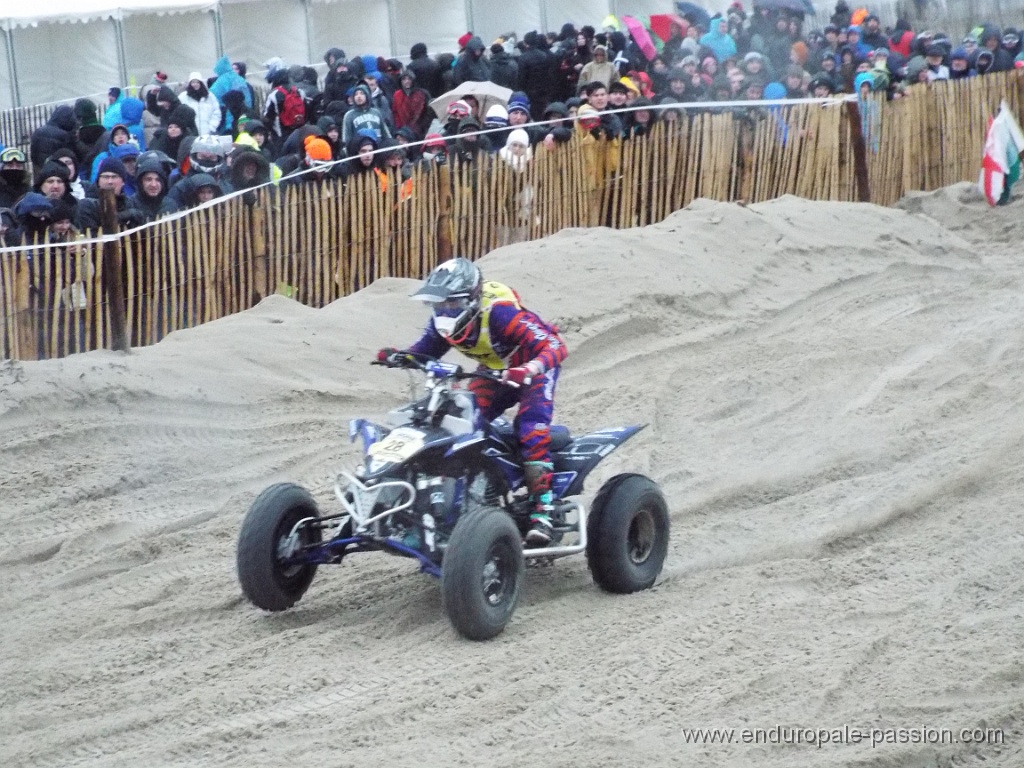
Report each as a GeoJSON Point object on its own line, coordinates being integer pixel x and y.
{"type": "Point", "coordinates": [61, 50]}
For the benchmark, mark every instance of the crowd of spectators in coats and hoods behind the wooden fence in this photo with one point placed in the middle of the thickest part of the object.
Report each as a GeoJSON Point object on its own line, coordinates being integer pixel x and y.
{"type": "Point", "coordinates": [170, 150]}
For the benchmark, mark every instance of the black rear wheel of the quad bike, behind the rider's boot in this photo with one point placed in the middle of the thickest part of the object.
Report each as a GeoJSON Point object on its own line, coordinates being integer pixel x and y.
{"type": "Point", "coordinates": [627, 534]}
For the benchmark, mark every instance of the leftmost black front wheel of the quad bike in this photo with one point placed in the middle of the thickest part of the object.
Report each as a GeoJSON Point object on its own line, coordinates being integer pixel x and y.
{"type": "Point", "coordinates": [269, 539]}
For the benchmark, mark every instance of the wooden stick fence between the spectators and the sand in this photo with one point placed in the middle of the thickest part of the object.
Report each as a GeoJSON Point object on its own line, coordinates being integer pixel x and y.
{"type": "Point", "coordinates": [319, 241]}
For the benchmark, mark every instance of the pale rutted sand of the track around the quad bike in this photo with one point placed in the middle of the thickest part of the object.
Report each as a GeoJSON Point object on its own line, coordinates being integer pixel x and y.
{"type": "Point", "coordinates": [834, 395]}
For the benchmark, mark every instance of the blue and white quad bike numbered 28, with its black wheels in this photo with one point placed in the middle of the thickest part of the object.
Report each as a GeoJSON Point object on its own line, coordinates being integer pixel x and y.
{"type": "Point", "coordinates": [441, 486]}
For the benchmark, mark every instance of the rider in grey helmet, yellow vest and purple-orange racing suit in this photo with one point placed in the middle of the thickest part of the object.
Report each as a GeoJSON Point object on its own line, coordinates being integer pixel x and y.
{"type": "Point", "coordinates": [486, 322]}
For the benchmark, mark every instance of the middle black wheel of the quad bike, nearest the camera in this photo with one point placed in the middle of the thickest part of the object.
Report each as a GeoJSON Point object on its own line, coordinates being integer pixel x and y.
{"type": "Point", "coordinates": [483, 574]}
